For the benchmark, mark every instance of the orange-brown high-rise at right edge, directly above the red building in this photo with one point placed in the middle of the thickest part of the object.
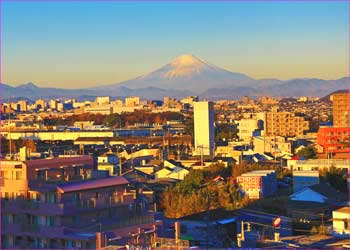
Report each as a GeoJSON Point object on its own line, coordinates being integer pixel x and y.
{"type": "Point", "coordinates": [341, 109]}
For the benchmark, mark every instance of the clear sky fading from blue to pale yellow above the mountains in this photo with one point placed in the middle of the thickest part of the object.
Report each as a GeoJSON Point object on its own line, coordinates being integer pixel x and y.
{"type": "Point", "coordinates": [82, 44]}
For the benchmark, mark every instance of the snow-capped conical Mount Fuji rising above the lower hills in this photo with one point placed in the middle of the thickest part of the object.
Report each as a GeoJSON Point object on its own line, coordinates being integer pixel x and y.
{"type": "Point", "coordinates": [186, 72]}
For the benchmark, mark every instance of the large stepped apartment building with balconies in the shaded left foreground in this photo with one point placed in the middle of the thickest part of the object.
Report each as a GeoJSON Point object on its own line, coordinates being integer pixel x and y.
{"type": "Point", "coordinates": [58, 203]}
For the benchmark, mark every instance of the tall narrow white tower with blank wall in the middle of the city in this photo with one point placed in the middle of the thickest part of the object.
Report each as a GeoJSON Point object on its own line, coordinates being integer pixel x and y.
{"type": "Point", "coordinates": [204, 128]}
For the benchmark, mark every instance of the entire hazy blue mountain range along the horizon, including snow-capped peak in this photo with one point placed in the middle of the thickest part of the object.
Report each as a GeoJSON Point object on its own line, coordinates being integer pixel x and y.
{"type": "Point", "coordinates": [188, 75]}
